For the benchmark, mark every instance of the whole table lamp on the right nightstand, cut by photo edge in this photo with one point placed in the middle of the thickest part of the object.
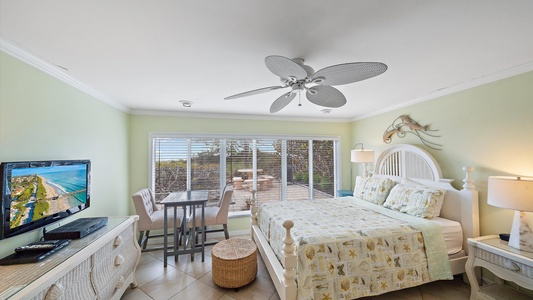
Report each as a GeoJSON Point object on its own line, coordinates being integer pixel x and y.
{"type": "Point", "coordinates": [514, 193]}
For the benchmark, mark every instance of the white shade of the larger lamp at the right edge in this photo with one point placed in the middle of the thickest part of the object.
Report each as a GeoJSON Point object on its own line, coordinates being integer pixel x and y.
{"type": "Point", "coordinates": [511, 192]}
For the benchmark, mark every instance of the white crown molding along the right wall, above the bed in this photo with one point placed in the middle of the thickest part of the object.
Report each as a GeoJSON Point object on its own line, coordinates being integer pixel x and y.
{"type": "Point", "coordinates": [516, 70]}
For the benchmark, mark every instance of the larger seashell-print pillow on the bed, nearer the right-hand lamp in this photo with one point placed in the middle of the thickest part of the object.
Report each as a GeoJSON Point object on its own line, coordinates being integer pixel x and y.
{"type": "Point", "coordinates": [417, 200]}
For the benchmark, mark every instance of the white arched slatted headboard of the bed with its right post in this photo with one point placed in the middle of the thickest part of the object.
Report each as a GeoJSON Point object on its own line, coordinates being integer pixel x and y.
{"type": "Point", "coordinates": [410, 162]}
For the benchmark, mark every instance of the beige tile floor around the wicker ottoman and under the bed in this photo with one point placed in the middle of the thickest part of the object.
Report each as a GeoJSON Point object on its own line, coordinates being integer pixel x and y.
{"type": "Point", "coordinates": [192, 280]}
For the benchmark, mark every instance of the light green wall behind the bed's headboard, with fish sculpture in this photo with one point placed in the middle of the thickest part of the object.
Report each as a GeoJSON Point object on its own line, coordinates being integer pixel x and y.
{"type": "Point", "coordinates": [488, 127]}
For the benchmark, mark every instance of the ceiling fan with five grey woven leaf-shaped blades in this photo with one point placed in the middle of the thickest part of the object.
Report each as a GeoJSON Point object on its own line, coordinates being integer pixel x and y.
{"type": "Point", "coordinates": [294, 74]}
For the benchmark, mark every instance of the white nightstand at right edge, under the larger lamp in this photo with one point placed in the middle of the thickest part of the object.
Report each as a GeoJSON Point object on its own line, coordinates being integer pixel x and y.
{"type": "Point", "coordinates": [503, 261]}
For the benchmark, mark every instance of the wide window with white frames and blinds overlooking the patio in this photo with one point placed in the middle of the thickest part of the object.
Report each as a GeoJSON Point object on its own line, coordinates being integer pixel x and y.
{"type": "Point", "coordinates": [278, 168]}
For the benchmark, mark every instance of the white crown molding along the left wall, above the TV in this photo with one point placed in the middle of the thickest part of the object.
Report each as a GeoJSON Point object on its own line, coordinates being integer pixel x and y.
{"type": "Point", "coordinates": [26, 56]}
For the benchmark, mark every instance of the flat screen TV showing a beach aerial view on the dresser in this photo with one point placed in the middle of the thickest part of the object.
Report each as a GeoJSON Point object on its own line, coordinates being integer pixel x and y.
{"type": "Point", "coordinates": [37, 193]}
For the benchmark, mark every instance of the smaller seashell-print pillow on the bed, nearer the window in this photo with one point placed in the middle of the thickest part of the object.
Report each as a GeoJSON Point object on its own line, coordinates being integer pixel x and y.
{"type": "Point", "coordinates": [372, 189]}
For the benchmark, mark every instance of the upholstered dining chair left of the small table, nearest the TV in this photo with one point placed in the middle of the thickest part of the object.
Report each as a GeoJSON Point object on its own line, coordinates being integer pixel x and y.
{"type": "Point", "coordinates": [151, 217]}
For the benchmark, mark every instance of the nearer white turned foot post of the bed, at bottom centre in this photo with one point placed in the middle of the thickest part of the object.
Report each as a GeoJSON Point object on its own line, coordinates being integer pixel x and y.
{"type": "Point", "coordinates": [289, 258]}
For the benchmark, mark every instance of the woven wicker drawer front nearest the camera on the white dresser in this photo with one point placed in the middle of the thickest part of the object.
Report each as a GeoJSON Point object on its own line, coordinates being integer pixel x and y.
{"type": "Point", "coordinates": [76, 284]}
